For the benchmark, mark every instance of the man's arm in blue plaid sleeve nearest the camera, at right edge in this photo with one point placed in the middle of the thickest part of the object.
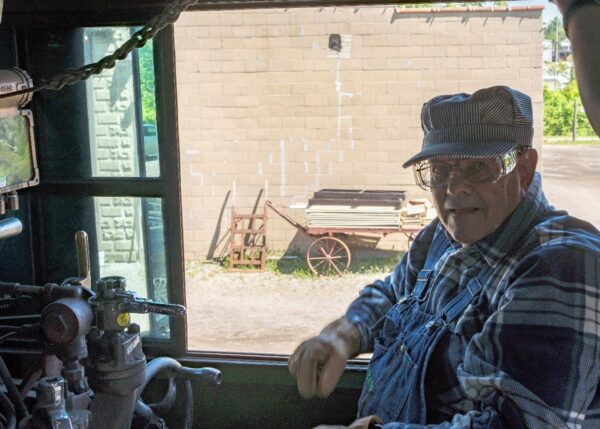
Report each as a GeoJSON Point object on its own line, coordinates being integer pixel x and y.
{"type": "Point", "coordinates": [535, 362]}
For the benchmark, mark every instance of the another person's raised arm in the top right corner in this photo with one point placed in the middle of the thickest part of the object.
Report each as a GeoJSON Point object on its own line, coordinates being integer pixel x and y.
{"type": "Point", "coordinates": [584, 33]}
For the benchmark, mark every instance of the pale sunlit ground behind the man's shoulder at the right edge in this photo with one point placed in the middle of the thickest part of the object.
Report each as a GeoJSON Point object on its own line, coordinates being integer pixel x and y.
{"type": "Point", "coordinates": [571, 179]}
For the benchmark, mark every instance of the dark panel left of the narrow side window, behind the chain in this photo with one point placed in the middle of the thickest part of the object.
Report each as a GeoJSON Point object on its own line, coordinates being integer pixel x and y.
{"type": "Point", "coordinates": [63, 151]}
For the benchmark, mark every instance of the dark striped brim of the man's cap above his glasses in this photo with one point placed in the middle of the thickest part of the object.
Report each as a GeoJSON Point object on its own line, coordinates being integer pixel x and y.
{"type": "Point", "coordinates": [461, 150]}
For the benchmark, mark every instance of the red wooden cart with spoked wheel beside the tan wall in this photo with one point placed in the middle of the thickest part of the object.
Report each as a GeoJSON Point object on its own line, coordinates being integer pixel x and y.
{"type": "Point", "coordinates": [328, 254]}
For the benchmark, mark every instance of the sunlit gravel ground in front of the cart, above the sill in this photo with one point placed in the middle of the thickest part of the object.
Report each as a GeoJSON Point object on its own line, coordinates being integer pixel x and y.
{"type": "Point", "coordinates": [262, 312]}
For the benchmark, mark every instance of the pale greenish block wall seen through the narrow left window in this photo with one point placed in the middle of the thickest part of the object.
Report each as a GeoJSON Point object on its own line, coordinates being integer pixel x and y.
{"type": "Point", "coordinates": [111, 113]}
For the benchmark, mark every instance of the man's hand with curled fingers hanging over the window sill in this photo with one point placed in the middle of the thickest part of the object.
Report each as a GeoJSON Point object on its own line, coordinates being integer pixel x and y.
{"type": "Point", "coordinates": [318, 363]}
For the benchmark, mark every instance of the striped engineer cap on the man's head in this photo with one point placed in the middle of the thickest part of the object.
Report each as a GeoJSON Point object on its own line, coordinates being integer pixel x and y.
{"type": "Point", "coordinates": [489, 122]}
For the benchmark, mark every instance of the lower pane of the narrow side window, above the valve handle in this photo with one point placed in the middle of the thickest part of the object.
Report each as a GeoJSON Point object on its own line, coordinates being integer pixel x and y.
{"type": "Point", "coordinates": [131, 244]}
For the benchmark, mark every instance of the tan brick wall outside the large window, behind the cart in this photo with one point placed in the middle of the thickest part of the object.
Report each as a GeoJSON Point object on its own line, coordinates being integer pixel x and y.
{"type": "Point", "coordinates": [267, 110]}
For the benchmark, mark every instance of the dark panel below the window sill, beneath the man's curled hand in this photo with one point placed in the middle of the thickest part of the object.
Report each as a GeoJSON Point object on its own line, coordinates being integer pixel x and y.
{"type": "Point", "coordinates": [262, 394]}
